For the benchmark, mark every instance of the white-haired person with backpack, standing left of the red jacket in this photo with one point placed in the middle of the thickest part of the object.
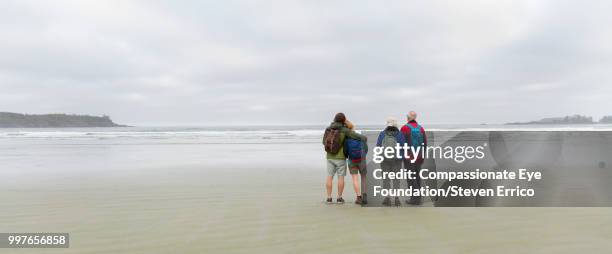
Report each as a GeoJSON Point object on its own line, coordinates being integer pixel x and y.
{"type": "Point", "coordinates": [390, 137]}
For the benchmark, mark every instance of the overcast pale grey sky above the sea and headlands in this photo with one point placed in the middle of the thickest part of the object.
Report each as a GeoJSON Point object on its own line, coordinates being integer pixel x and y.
{"type": "Point", "coordinates": [300, 62]}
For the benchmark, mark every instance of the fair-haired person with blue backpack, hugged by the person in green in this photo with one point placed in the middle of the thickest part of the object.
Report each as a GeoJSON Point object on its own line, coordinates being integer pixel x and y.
{"type": "Point", "coordinates": [356, 151]}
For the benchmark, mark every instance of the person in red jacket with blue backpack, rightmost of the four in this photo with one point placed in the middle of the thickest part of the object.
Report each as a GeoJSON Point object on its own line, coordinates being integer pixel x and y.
{"type": "Point", "coordinates": [415, 136]}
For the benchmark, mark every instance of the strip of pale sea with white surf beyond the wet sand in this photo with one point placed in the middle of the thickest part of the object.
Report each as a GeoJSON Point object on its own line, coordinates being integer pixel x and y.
{"type": "Point", "coordinates": [246, 133]}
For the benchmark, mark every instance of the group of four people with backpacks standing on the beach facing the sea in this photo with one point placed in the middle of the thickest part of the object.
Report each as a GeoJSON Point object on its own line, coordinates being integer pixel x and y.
{"type": "Point", "coordinates": [346, 148]}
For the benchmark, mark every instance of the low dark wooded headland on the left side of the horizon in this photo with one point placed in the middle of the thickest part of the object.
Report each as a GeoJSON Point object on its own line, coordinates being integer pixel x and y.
{"type": "Point", "coordinates": [15, 120]}
